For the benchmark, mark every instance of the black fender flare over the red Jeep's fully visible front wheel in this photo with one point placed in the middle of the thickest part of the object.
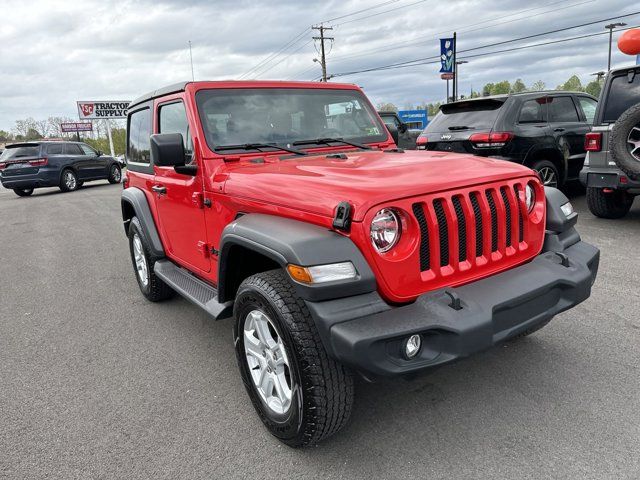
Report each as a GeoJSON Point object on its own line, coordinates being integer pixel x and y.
{"type": "Point", "coordinates": [285, 241]}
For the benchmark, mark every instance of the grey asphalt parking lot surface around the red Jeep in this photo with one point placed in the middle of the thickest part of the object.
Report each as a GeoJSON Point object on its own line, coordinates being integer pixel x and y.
{"type": "Point", "coordinates": [96, 382]}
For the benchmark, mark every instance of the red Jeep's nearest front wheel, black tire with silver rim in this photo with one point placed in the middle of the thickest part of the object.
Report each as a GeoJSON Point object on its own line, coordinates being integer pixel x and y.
{"type": "Point", "coordinates": [277, 342]}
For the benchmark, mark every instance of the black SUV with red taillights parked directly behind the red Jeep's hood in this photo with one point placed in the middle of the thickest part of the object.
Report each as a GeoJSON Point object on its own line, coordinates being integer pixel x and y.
{"type": "Point", "coordinates": [542, 130]}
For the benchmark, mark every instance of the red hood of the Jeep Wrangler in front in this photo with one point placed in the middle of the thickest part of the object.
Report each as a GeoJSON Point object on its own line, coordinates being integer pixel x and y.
{"type": "Point", "coordinates": [317, 183]}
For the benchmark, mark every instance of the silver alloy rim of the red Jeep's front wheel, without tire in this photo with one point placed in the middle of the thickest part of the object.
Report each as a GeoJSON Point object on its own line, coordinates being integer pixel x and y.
{"type": "Point", "coordinates": [268, 362]}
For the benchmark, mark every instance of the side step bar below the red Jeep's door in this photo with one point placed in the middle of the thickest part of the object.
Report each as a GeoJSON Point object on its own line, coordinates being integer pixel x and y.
{"type": "Point", "coordinates": [193, 289]}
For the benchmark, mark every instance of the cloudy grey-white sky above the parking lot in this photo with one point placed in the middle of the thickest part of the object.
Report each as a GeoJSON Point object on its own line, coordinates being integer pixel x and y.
{"type": "Point", "coordinates": [55, 53]}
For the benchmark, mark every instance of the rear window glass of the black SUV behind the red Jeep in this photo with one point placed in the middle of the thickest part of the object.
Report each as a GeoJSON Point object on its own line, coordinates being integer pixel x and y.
{"type": "Point", "coordinates": [477, 114]}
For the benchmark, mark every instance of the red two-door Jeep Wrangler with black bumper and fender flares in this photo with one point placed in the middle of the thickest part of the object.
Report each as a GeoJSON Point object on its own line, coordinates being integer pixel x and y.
{"type": "Point", "coordinates": [288, 207]}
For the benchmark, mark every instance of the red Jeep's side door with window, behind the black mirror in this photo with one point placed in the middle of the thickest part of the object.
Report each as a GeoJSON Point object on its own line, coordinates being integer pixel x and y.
{"type": "Point", "coordinates": [179, 198]}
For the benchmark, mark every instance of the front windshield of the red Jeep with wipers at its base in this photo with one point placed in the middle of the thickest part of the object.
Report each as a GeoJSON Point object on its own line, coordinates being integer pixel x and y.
{"type": "Point", "coordinates": [283, 116]}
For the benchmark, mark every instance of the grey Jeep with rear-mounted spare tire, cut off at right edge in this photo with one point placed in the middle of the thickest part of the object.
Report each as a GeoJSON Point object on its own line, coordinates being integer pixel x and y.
{"type": "Point", "coordinates": [611, 171]}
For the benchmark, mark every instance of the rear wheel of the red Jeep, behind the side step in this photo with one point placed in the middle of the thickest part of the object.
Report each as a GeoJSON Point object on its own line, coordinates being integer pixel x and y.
{"type": "Point", "coordinates": [151, 286]}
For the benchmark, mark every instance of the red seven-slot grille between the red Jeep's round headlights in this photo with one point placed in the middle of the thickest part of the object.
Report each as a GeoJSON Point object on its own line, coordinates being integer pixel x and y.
{"type": "Point", "coordinates": [487, 223]}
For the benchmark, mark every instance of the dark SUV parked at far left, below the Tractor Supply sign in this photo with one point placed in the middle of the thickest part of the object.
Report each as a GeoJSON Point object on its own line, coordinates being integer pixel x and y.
{"type": "Point", "coordinates": [67, 165]}
